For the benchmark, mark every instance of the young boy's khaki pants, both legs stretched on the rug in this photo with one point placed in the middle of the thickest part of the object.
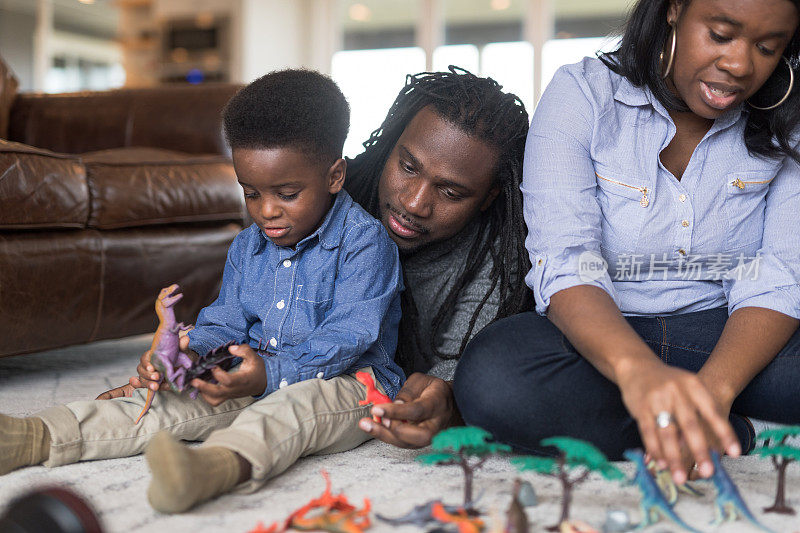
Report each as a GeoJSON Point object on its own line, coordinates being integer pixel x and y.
{"type": "Point", "coordinates": [310, 417]}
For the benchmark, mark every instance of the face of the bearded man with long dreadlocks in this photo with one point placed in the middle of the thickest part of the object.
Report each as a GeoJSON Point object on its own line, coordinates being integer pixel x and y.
{"type": "Point", "coordinates": [435, 181]}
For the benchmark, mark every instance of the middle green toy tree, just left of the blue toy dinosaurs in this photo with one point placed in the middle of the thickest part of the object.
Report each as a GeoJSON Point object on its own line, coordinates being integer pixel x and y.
{"type": "Point", "coordinates": [574, 454]}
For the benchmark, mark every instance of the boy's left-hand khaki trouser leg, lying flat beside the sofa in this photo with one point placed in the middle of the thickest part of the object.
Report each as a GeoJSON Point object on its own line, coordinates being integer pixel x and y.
{"type": "Point", "coordinates": [102, 429]}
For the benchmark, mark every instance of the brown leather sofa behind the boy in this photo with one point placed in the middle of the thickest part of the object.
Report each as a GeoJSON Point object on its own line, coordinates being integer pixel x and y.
{"type": "Point", "coordinates": [105, 197]}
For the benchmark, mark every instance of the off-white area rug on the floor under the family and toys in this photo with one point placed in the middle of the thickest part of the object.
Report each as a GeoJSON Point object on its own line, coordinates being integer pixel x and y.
{"type": "Point", "coordinates": [388, 476]}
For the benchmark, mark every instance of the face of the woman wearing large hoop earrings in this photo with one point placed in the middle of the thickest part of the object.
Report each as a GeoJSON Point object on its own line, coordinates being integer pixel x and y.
{"type": "Point", "coordinates": [727, 49]}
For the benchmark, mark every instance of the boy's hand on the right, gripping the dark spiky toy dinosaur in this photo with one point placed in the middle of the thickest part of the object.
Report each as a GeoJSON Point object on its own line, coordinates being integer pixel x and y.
{"type": "Point", "coordinates": [249, 380]}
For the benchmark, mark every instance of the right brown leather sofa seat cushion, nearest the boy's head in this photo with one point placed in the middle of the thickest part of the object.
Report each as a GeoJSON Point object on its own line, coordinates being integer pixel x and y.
{"type": "Point", "coordinates": [131, 187]}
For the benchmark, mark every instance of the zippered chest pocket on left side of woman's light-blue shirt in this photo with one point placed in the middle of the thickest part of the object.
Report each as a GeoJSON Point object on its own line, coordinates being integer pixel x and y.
{"type": "Point", "coordinates": [624, 203]}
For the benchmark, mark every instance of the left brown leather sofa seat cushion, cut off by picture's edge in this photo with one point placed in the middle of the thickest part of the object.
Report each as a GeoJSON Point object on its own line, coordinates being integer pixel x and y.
{"type": "Point", "coordinates": [41, 189]}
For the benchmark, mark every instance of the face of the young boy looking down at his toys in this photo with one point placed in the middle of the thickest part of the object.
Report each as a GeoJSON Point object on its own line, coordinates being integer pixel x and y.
{"type": "Point", "coordinates": [287, 193]}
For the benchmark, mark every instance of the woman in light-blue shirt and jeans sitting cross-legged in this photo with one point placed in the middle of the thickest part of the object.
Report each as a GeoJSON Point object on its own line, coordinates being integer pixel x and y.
{"type": "Point", "coordinates": [661, 189]}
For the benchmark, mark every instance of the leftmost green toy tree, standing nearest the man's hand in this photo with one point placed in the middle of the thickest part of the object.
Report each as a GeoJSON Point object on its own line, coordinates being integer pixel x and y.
{"type": "Point", "coordinates": [456, 446]}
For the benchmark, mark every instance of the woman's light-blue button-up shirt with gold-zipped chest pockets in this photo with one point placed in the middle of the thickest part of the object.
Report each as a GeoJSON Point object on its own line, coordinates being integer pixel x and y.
{"type": "Point", "coordinates": [602, 210]}
